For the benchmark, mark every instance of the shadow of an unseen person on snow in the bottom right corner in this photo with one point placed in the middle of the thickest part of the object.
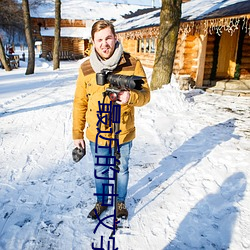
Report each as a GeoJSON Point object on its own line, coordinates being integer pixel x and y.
{"type": "Point", "coordinates": [210, 223]}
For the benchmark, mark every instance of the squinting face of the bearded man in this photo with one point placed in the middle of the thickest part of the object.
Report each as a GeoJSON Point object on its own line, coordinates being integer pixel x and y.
{"type": "Point", "coordinates": [104, 42]}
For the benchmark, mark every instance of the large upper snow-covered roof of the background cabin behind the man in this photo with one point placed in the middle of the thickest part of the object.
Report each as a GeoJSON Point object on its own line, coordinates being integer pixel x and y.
{"type": "Point", "coordinates": [85, 10]}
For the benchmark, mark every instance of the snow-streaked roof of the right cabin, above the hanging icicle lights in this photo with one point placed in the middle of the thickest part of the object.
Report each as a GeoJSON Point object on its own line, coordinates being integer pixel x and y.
{"type": "Point", "coordinates": [191, 11]}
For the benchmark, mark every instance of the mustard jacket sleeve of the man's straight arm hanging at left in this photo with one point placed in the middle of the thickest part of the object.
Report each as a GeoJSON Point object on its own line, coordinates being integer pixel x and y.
{"type": "Point", "coordinates": [80, 105]}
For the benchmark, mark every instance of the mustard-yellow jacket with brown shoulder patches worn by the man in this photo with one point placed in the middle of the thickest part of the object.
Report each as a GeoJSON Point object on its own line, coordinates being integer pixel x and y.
{"type": "Point", "coordinates": [86, 106]}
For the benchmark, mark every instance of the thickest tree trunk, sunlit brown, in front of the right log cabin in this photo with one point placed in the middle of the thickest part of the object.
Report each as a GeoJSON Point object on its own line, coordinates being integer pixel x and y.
{"type": "Point", "coordinates": [168, 34]}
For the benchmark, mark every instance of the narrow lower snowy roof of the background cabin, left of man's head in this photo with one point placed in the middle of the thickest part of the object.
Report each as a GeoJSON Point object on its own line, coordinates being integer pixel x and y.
{"type": "Point", "coordinates": [79, 32]}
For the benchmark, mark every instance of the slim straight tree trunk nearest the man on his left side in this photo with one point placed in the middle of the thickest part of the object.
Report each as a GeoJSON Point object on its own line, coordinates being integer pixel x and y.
{"type": "Point", "coordinates": [56, 59]}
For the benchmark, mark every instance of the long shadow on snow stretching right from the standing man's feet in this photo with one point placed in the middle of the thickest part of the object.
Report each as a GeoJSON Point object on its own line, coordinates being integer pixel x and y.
{"type": "Point", "coordinates": [190, 153]}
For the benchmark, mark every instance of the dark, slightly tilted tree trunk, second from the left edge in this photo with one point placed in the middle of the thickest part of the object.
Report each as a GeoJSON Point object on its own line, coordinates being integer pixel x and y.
{"type": "Point", "coordinates": [28, 33]}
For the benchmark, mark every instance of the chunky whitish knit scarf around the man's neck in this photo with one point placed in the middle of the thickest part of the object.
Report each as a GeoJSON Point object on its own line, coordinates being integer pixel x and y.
{"type": "Point", "coordinates": [98, 64]}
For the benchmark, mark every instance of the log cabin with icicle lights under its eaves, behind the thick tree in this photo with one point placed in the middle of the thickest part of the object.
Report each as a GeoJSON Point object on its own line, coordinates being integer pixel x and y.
{"type": "Point", "coordinates": [213, 41]}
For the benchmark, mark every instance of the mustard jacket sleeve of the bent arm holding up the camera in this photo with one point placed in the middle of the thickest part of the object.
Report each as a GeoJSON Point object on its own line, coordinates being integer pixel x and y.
{"type": "Point", "coordinates": [141, 97]}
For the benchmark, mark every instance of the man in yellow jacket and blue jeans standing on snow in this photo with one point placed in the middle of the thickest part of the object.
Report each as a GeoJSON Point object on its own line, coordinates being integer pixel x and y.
{"type": "Point", "coordinates": [107, 54]}
